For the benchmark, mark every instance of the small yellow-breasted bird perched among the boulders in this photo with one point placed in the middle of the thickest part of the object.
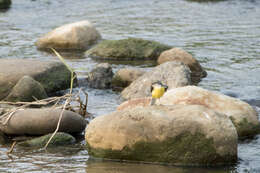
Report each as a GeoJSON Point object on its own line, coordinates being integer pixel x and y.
{"type": "Point", "coordinates": [157, 89]}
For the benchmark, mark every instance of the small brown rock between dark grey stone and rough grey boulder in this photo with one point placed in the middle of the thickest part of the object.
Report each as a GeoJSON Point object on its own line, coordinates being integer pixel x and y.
{"type": "Point", "coordinates": [124, 77]}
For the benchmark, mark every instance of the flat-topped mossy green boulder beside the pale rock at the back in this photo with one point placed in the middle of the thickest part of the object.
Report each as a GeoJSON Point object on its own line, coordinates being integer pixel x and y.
{"type": "Point", "coordinates": [127, 49]}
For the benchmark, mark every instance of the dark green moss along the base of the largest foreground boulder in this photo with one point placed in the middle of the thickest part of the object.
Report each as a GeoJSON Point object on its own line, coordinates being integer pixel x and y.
{"type": "Point", "coordinates": [185, 149]}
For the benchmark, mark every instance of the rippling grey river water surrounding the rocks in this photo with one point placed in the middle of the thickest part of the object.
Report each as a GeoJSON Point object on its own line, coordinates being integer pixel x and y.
{"type": "Point", "coordinates": [223, 35]}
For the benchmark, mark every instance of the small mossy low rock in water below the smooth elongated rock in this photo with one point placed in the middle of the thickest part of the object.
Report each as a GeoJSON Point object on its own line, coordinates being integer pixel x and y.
{"type": "Point", "coordinates": [59, 139]}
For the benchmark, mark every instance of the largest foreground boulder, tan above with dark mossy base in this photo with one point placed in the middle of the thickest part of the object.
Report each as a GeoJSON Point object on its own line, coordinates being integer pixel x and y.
{"type": "Point", "coordinates": [177, 135]}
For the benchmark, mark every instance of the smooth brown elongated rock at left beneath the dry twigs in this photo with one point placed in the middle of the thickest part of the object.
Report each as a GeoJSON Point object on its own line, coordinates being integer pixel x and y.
{"type": "Point", "coordinates": [43, 121]}
